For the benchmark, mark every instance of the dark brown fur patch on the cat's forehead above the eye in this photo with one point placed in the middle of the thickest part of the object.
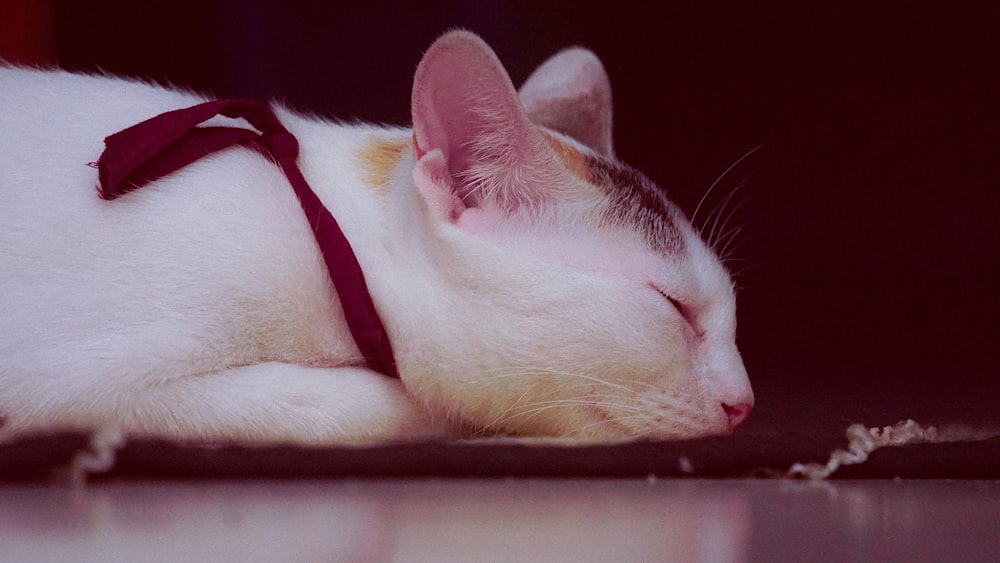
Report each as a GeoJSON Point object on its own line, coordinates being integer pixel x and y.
{"type": "Point", "coordinates": [637, 202]}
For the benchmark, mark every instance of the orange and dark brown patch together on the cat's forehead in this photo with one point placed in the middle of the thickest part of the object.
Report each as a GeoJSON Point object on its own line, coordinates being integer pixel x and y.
{"type": "Point", "coordinates": [634, 201]}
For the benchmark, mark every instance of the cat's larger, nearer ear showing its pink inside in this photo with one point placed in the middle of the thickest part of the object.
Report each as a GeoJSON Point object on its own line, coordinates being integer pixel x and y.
{"type": "Point", "coordinates": [474, 144]}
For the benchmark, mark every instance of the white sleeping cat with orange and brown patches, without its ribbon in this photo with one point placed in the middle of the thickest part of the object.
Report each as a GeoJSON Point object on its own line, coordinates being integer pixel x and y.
{"type": "Point", "coordinates": [529, 283]}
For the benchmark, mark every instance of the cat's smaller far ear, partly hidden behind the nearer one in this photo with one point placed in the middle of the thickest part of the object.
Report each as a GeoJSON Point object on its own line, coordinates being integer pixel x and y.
{"type": "Point", "coordinates": [571, 93]}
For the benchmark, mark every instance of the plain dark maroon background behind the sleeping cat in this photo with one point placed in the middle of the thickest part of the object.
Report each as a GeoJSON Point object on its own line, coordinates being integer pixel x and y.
{"type": "Point", "coordinates": [869, 216]}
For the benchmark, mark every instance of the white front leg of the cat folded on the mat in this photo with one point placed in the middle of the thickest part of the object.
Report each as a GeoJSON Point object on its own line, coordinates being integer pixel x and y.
{"type": "Point", "coordinates": [282, 403]}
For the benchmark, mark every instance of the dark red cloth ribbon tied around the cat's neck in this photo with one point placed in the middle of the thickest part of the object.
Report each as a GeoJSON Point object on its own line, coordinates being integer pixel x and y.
{"type": "Point", "coordinates": [165, 143]}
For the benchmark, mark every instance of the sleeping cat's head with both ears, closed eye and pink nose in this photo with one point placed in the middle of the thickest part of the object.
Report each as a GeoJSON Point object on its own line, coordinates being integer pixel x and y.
{"type": "Point", "coordinates": [570, 297]}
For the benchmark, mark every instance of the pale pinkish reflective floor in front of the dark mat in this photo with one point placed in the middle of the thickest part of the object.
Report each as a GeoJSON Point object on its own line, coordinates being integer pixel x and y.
{"type": "Point", "coordinates": [498, 520]}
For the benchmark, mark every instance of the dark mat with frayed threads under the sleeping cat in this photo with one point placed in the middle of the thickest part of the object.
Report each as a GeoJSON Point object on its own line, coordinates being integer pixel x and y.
{"type": "Point", "coordinates": [743, 455]}
